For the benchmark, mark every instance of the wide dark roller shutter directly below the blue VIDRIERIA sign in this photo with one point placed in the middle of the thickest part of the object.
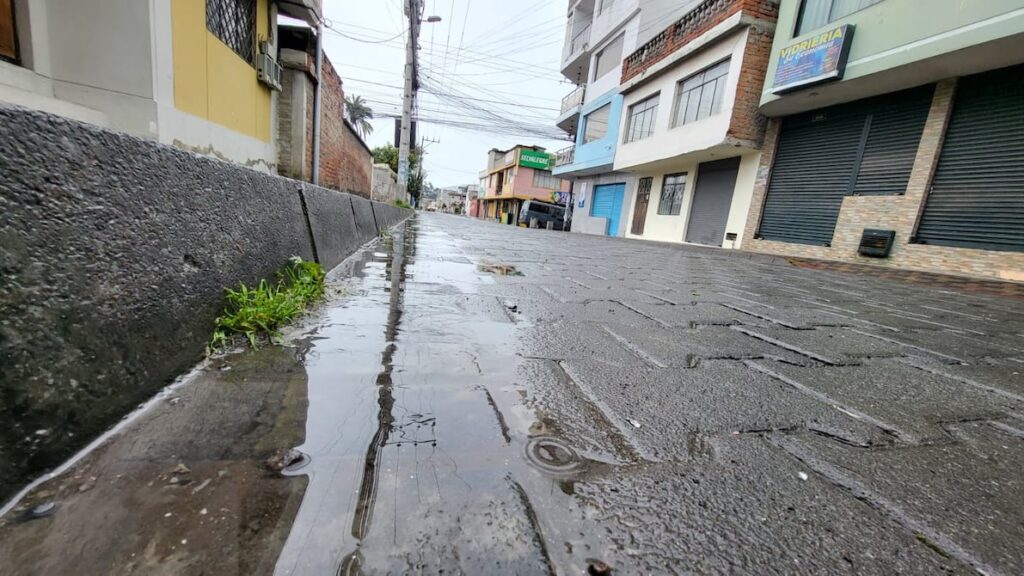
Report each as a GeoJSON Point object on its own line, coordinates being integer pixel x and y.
{"type": "Point", "coordinates": [863, 148]}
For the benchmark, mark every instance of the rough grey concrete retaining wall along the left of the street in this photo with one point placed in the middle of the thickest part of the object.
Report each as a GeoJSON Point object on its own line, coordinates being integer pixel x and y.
{"type": "Point", "coordinates": [114, 257]}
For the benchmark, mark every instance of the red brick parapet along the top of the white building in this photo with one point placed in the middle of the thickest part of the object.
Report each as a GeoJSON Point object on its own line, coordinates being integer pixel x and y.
{"type": "Point", "coordinates": [702, 19]}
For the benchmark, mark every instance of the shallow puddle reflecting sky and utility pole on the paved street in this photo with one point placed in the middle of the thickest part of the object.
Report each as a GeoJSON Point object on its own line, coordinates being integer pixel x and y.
{"type": "Point", "coordinates": [412, 390]}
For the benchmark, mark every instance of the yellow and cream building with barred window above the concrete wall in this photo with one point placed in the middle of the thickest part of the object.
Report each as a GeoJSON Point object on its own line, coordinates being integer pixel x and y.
{"type": "Point", "coordinates": [197, 74]}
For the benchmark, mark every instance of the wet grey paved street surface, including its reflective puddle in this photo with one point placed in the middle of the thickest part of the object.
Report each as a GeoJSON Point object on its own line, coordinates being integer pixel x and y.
{"type": "Point", "coordinates": [488, 400]}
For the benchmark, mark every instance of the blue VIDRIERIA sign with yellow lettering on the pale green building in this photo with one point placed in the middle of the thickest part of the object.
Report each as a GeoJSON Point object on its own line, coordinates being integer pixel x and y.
{"type": "Point", "coordinates": [820, 59]}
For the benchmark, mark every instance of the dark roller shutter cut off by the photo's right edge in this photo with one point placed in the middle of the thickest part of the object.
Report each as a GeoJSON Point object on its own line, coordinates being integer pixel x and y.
{"type": "Point", "coordinates": [977, 196]}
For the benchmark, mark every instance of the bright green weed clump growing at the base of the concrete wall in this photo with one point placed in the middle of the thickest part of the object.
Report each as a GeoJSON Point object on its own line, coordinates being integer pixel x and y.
{"type": "Point", "coordinates": [268, 307]}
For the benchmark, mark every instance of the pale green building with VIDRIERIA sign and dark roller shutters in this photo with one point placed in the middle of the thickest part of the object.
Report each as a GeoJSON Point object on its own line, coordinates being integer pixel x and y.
{"type": "Point", "coordinates": [897, 137]}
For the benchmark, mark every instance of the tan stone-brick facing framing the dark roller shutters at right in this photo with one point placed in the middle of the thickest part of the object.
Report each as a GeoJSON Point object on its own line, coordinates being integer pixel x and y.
{"type": "Point", "coordinates": [889, 213]}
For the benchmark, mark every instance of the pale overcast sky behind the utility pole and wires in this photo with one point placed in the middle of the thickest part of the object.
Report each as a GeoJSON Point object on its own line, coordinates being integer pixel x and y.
{"type": "Point", "coordinates": [496, 51]}
